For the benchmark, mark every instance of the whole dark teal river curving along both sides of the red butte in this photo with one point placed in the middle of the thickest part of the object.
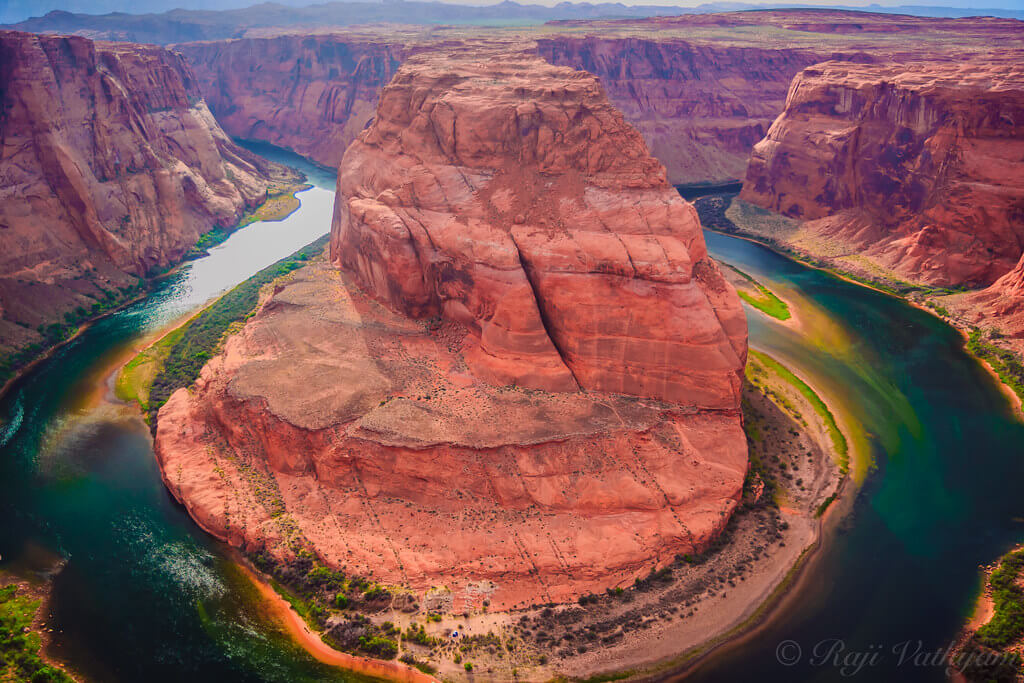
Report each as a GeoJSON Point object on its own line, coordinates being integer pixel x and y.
{"type": "Point", "coordinates": [146, 595]}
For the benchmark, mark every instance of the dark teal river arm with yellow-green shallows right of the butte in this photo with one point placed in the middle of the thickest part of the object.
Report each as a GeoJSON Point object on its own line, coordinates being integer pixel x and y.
{"type": "Point", "coordinates": [901, 575]}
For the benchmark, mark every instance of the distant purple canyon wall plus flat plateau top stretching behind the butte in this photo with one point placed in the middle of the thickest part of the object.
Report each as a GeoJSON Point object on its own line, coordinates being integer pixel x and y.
{"type": "Point", "coordinates": [702, 90]}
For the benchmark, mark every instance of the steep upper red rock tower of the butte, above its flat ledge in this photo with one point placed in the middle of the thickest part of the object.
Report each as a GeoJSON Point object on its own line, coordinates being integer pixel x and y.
{"type": "Point", "coordinates": [524, 212]}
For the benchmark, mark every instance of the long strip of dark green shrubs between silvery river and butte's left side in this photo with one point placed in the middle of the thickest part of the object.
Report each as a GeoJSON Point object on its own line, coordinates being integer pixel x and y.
{"type": "Point", "coordinates": [201, 336]}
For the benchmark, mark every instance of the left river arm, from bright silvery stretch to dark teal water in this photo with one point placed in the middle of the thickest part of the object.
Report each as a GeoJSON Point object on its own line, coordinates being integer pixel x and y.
{"type": "Point", "coordinates": [145, 594]}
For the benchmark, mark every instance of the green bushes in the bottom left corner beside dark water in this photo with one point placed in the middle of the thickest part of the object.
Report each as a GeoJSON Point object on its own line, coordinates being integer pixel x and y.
{"type": "Point", "coordinates": [20, 647]}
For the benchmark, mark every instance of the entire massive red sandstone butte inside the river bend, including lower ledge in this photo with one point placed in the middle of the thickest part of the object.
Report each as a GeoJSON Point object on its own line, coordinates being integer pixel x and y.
{"type": "Point", "coordinates": [522, 382]}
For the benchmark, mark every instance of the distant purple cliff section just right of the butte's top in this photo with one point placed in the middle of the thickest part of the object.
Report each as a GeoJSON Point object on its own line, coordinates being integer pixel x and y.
{"type": "Point", "coordinates": [700, 108]}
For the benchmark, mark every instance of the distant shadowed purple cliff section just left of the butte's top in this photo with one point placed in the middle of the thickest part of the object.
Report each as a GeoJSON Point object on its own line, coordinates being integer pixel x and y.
{"type": "Point", "coordinates": [313, 95]}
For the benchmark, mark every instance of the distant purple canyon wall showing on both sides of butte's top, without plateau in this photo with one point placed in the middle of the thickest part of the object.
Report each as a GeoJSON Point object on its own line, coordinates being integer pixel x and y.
{"type": "Point", "coordinates": [700, 108]}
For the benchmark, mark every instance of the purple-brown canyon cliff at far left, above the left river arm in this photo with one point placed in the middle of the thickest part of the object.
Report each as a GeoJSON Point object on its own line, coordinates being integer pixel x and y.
{"type": "Point", "coordinates": [111, 166]}
